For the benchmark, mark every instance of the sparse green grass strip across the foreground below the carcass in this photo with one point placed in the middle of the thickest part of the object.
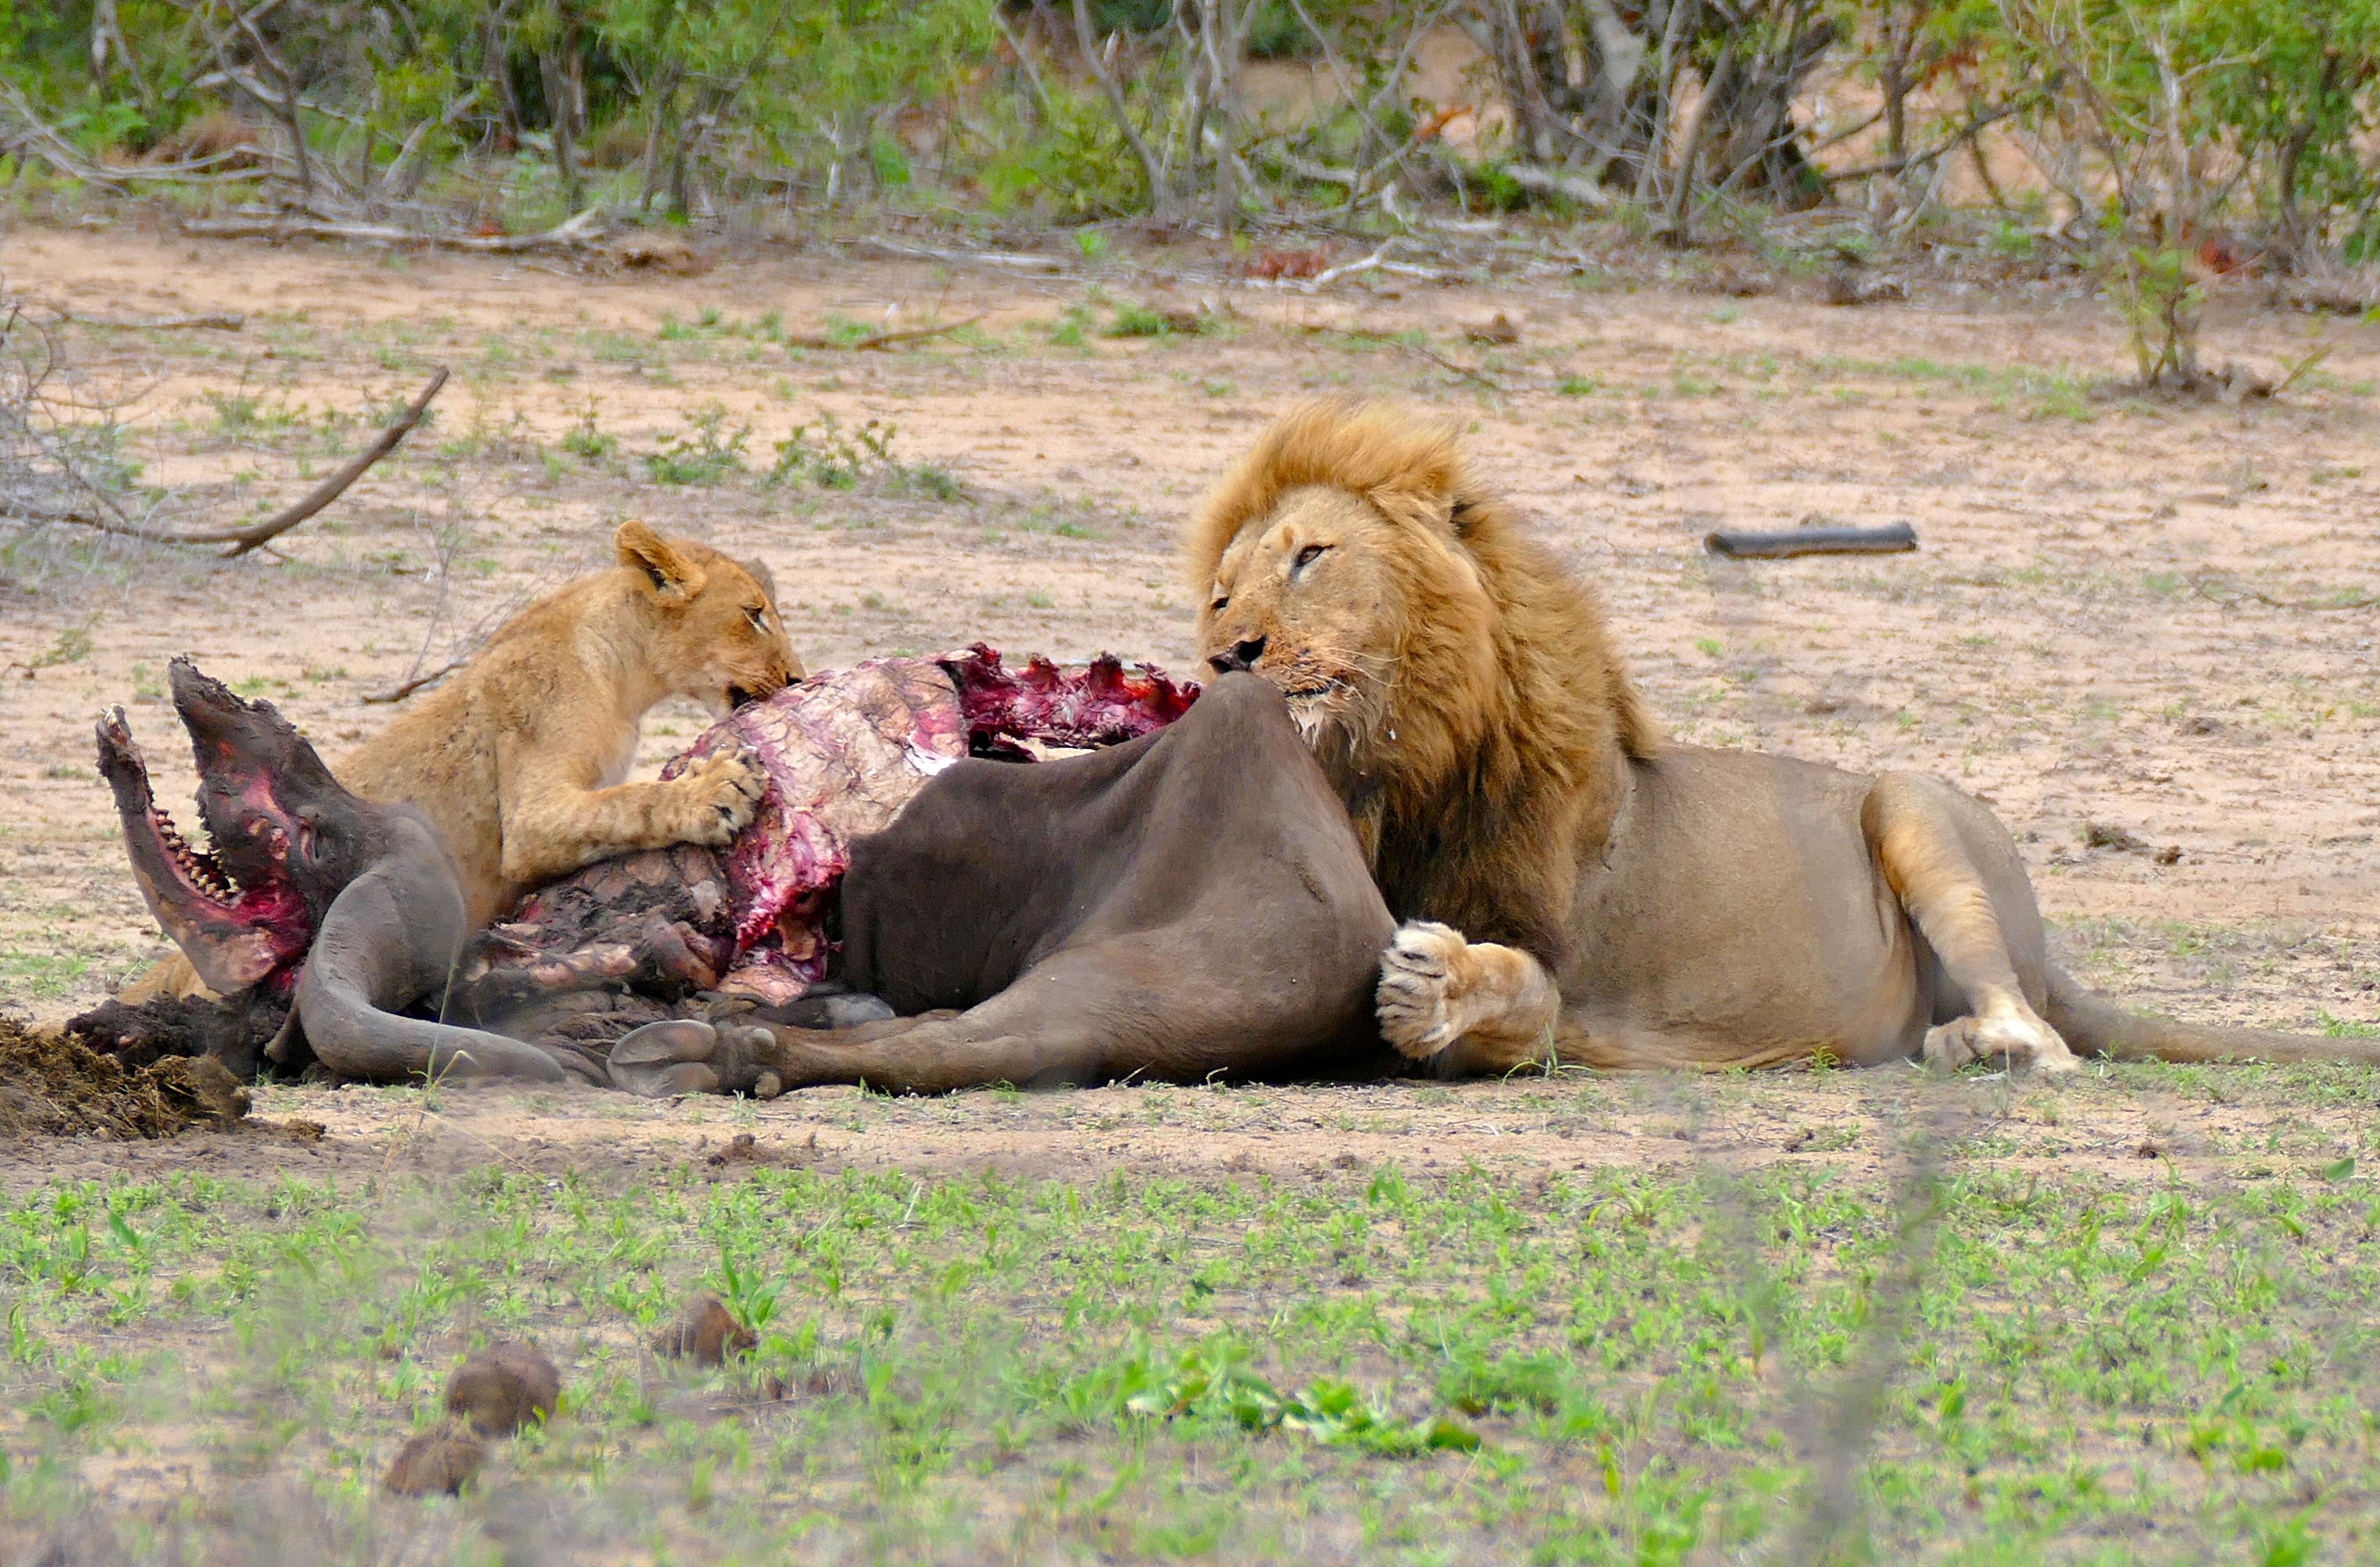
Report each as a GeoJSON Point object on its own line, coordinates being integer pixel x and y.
{"type": "Point", "coordinates": [1367, 1363]}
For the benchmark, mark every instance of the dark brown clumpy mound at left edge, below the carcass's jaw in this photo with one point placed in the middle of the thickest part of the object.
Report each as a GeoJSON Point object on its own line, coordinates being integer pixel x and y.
{"type": "Point", "coordinates": [58, 1087]}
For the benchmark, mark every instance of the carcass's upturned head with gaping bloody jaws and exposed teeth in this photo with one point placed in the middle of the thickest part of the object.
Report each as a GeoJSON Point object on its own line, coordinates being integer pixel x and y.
{"type": "Point", "coordinates": [244, 911]}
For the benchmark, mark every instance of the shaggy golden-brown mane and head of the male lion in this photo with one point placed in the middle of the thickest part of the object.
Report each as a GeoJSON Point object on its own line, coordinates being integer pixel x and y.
{"type": "Point", "coordinates": [1482, 713]}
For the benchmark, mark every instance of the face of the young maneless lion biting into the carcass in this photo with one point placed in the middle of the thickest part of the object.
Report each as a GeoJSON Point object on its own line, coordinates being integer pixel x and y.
{"type": "Point", "coordinates": [720, 639]}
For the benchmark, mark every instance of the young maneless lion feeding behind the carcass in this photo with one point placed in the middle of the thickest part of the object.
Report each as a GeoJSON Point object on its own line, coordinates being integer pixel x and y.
{"type": "Point", "coordinates": [518, 761]}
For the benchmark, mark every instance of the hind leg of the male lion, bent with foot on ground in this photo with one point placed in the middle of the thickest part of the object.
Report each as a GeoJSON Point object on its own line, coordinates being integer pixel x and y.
{"type": "Point", "coordinates": [1958, 875]}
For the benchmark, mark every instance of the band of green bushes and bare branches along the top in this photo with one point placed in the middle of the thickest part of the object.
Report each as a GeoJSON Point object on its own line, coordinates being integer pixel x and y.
{"type": "Point", "coordinates": [2234, 127]}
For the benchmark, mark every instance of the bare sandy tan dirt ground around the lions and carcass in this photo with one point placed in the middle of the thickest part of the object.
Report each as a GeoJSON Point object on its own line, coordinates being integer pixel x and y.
{"type": "Point", "coordinates": [2058, 644]}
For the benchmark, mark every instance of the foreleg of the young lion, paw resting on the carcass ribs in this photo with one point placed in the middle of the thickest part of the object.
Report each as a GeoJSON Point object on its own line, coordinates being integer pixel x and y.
{"type": "Point", "coordinates": [556, 825]}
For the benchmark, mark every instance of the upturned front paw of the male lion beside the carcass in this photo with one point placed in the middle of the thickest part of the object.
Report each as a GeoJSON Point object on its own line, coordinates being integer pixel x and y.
{"type": "Point", "coordinates": [1489, 1004]}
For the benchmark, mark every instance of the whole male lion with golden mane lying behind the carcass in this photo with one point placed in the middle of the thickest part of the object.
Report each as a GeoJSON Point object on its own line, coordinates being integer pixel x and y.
{"type": "Point", "coordinates": [1572, 885]}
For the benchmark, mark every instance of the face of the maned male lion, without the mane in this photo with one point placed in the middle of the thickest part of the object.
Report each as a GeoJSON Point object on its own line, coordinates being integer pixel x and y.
{"type": "Point", "coordinates": [1313, 601]}
